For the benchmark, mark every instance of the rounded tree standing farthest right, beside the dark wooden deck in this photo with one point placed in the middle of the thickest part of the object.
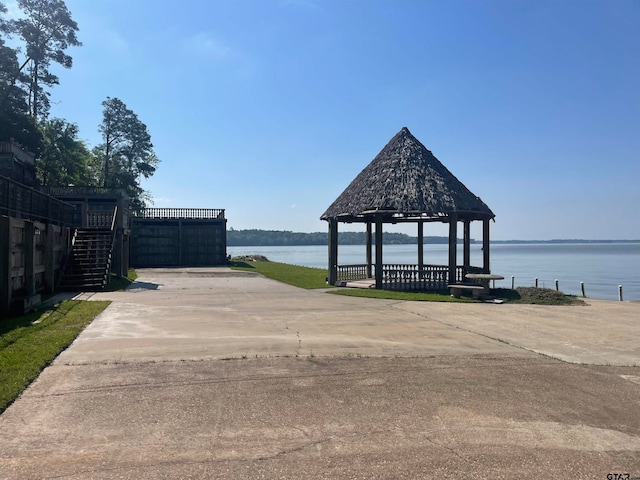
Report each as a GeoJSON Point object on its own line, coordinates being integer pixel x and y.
{"type": "Point", "coordinates": [126, 152]}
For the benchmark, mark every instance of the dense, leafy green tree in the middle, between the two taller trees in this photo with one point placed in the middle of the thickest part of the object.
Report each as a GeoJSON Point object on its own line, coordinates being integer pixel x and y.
{"type": "Point", "coordinates": [64, 160]}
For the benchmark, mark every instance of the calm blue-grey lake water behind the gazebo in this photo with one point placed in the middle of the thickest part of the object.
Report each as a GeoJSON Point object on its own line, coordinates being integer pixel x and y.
{"type": "Point", "coordinates": [601, 266]}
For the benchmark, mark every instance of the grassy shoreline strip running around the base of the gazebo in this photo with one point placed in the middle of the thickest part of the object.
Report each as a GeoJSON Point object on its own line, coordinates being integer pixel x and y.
{"type": "Point", "coordinates": [306, 277]}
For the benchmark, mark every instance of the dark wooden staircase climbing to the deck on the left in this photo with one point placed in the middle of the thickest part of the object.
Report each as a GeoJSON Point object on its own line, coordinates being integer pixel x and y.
{"type": "Point", "coordinates": [88, 266]}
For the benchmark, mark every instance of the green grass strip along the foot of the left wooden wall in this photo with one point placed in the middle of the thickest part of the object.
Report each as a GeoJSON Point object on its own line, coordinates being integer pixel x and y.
{"type": "Point", "coordinates": [29, 343]}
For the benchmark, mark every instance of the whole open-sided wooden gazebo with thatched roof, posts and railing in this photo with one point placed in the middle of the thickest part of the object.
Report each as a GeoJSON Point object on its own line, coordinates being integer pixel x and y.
{"type": "Point", "coordinates": [405, 182]}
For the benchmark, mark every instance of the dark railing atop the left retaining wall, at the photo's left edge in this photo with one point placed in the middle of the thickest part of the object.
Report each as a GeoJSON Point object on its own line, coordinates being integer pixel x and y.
{"type": "Point", "coordinates": [18, 200]}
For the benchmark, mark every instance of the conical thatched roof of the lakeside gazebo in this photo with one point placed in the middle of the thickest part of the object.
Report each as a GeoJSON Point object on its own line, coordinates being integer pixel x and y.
{"type": "Point", "coordinates": [405, 181]}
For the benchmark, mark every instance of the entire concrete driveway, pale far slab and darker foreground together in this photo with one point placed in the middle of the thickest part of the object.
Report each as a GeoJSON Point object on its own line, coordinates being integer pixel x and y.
{"type": "Point", "coordinates": [210, 373]}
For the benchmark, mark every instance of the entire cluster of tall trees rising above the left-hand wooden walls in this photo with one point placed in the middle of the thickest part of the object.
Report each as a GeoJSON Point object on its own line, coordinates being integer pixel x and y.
{"type": "Point", "coordinates": [42, 34]}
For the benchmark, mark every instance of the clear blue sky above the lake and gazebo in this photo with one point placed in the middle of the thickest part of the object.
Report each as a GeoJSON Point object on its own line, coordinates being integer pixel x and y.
{"type": "Point", "coordinates": [269, 108]}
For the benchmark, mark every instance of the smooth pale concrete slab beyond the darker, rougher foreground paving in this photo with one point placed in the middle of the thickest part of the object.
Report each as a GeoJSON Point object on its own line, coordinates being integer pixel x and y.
{"type": "Point", "coordinates": [220, 313]}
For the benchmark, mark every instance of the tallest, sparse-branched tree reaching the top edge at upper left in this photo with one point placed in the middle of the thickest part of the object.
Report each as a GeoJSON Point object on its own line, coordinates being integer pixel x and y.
{"type": "Point", "coordinates": [47, 31]}
